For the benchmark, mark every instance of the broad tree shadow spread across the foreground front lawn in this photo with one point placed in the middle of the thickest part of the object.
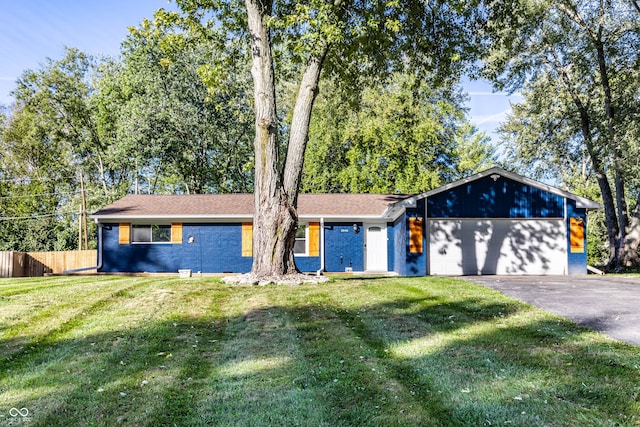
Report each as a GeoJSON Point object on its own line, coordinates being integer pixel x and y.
{"type": "Point", "coordinates": [337, 362]}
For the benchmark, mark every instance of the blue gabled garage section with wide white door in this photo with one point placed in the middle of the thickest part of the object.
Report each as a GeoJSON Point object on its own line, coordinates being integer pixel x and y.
{"type": "Point", "coordinates": [499, 222]}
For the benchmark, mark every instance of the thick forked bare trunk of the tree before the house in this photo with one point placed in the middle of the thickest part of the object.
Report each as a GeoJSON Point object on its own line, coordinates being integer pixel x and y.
{"type": "Point", "coordinates": [275, 193]}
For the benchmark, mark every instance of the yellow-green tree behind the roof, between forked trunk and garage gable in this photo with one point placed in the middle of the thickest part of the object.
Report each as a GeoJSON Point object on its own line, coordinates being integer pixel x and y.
{"type": "Point", "coordinates": [405, 137]}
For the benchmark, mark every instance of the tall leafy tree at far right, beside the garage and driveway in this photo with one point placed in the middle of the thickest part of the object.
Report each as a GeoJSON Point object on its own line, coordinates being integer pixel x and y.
{"type": "Point", "coordinates": [586, 54]}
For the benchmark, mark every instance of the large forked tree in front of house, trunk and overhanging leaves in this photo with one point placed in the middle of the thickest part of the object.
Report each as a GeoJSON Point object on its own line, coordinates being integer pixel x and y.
{"type": "Point", "coordinates": [353, 40]}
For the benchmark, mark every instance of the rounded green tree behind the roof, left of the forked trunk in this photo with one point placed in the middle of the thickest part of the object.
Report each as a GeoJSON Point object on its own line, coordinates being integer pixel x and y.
{"type": "Point", "coordinates": [182, 136]}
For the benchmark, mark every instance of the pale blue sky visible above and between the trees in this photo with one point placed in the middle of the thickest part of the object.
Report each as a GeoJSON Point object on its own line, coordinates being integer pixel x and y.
{"type": "Point", "coordinates": [33, 30]}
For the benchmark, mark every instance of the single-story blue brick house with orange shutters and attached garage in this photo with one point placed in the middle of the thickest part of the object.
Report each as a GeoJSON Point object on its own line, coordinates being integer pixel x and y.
{"type": "Point", "coordinates": [494, 222]}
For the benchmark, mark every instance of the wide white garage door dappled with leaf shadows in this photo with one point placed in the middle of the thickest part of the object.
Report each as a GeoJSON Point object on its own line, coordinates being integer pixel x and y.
{"type": "Point", "coordinates": [497, 246]}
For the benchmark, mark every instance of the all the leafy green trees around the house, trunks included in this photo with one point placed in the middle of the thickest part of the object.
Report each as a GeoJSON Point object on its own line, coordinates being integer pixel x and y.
{"type": "Point", "coordinates": [278, 97]}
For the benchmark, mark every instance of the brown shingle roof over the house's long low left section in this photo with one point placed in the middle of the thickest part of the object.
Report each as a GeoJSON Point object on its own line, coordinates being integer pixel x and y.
{"type": "Point", "coordinates": [138, 205]}
